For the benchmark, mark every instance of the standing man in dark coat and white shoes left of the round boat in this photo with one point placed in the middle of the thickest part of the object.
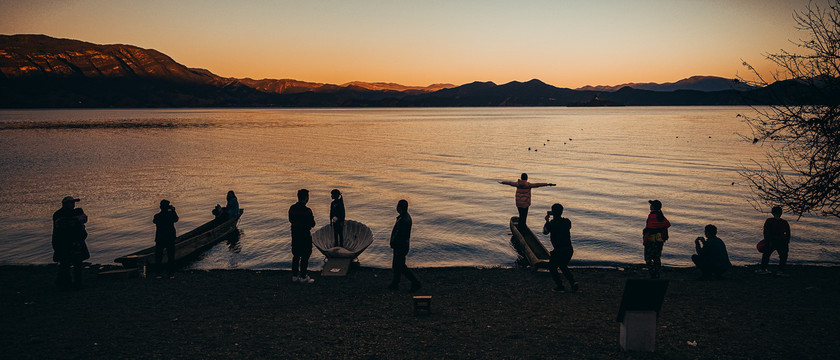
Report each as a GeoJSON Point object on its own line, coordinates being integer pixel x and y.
{"type": "Point", "coordinates": [302, 221]}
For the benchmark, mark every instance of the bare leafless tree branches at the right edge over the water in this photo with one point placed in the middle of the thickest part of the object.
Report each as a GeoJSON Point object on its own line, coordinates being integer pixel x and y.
{"type": "Point", "coordinates": [802, 169]}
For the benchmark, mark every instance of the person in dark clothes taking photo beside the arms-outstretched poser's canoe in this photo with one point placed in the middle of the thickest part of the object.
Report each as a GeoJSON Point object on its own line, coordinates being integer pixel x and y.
{"type": "Point", "coordinates": [561, 239]}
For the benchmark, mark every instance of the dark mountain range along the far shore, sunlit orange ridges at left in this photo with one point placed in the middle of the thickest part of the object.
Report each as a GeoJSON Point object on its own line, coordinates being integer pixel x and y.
{"type": "Point", "coordinates": [38, 71]}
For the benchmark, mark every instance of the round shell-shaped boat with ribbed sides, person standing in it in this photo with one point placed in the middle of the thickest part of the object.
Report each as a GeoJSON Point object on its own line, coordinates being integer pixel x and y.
{"type": "Point", "coordinates": [357, 238]}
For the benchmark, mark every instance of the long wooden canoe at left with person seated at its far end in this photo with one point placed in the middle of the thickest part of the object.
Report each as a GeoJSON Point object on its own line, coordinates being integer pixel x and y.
{"type": "Point", "coordinates": [188, 244]}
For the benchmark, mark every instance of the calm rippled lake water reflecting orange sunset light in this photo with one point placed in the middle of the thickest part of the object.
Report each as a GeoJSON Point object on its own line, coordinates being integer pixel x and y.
{"type": "Point", "coordinates": [606, 162]}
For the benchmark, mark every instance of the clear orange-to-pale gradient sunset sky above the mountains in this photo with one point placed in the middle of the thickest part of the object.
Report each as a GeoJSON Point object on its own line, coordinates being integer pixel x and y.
{"type": "Point", "coordinates": [564, 43]}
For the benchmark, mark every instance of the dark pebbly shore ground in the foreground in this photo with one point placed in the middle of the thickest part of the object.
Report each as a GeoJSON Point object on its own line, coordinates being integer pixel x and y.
{"type": "Point", "coordinates": [476, 313]}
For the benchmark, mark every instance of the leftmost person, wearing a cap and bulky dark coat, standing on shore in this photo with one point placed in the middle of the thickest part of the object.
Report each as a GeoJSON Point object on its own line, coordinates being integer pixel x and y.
{"type": "Point", "coordinates": [68, 242]}
